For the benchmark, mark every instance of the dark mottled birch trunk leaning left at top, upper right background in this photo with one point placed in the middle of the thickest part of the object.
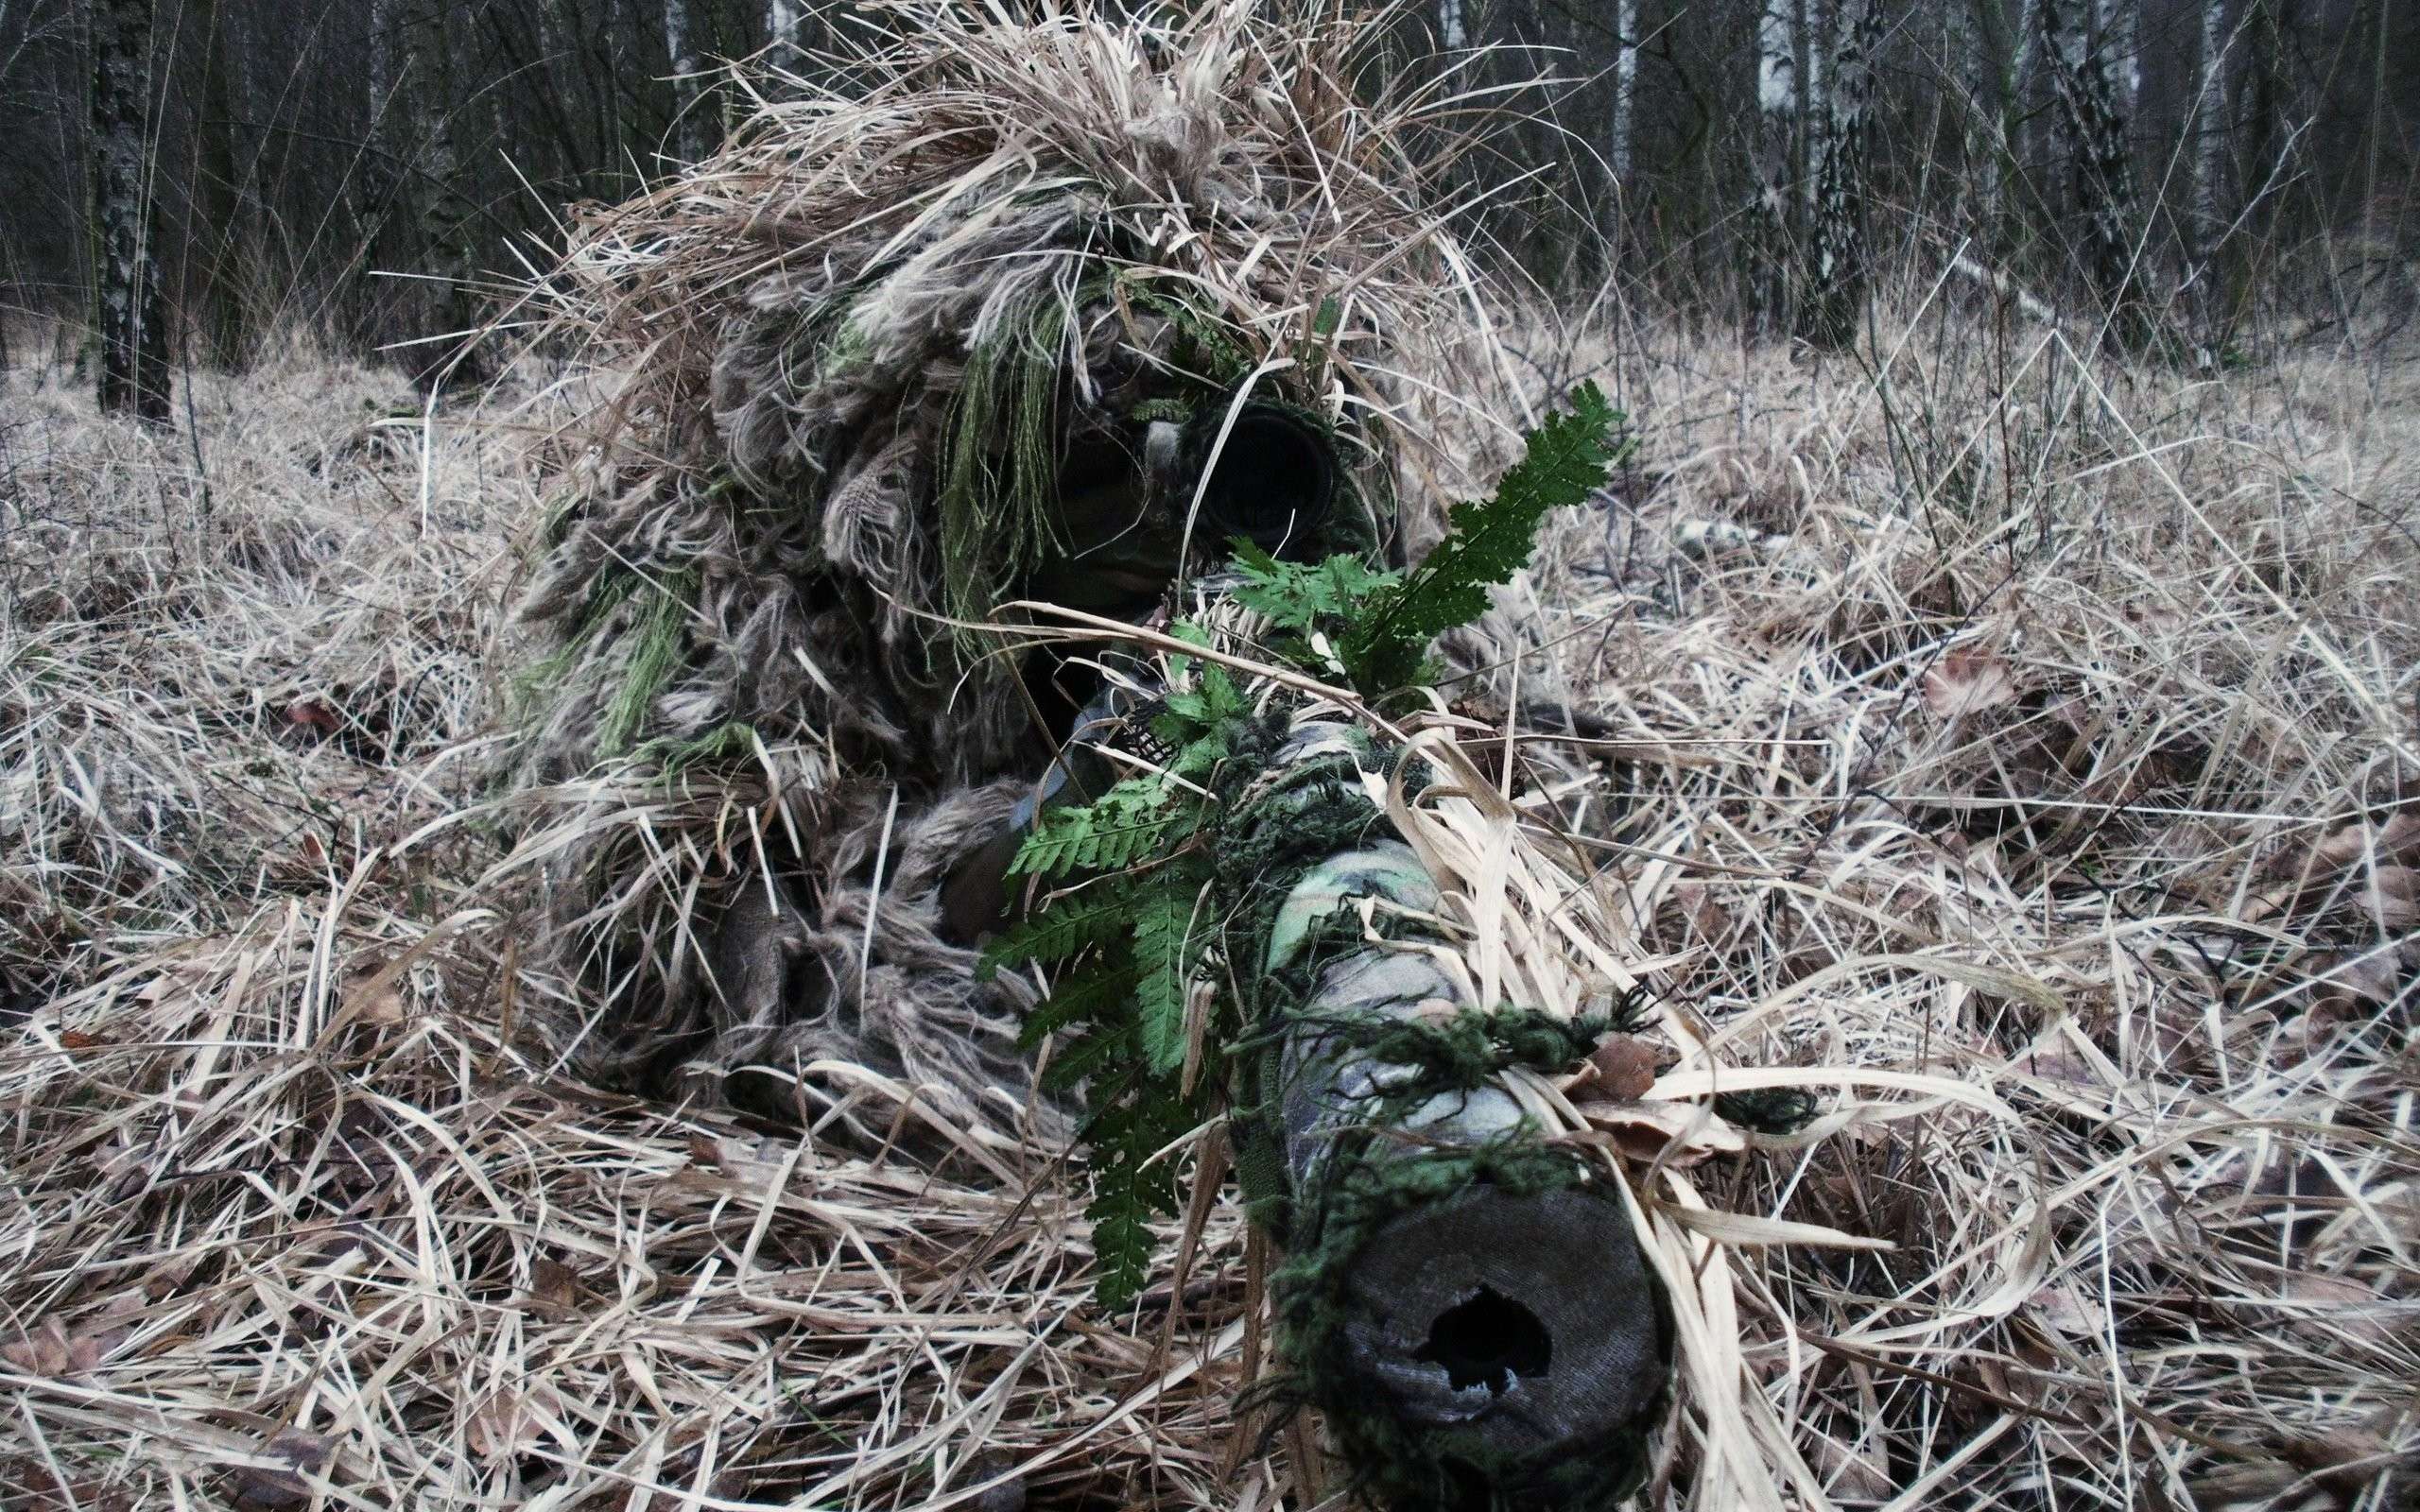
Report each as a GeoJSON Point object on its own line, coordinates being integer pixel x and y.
{"type": "Point", "coordinates": [2097, 132]}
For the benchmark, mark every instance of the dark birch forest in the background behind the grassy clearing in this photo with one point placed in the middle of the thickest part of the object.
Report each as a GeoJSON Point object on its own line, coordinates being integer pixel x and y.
{"type": "Point", "coordinates": [376, 168]}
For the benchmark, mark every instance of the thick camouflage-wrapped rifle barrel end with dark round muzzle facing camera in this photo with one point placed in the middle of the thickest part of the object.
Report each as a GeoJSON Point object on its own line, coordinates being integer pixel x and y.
{"type": "Point", "coordinates": [1470, 1305]}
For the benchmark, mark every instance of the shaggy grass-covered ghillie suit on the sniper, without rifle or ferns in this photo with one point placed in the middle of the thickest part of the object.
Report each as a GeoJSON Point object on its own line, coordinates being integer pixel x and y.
{"type": "Point", "coordinates": [851, 362]}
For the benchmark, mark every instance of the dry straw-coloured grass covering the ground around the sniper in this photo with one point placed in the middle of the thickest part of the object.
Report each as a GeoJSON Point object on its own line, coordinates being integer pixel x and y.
{"type": "Point", "coordinates": [1990, 712]}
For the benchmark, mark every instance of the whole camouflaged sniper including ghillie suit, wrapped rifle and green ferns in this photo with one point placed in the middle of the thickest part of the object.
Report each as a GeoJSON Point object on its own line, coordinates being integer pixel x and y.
{"type": "Point", "coordinates": [1027, 330]}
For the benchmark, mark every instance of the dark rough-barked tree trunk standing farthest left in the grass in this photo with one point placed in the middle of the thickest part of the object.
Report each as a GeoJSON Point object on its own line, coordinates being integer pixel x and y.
{"type": "Point", "coordinates": [127, 217]}
